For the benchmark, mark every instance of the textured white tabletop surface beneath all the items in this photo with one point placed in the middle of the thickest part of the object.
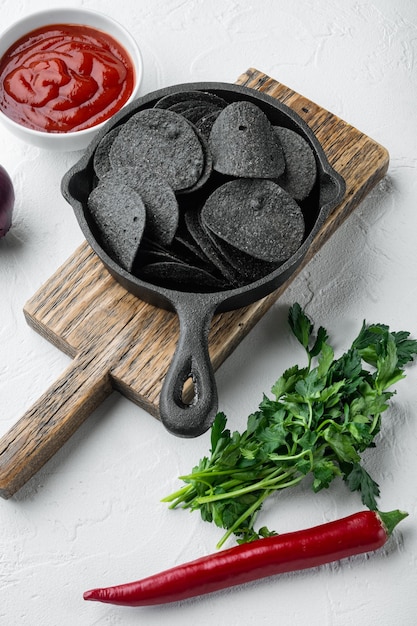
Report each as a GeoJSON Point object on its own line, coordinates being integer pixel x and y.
{"type": "Point", "coordinates": [92, 515]}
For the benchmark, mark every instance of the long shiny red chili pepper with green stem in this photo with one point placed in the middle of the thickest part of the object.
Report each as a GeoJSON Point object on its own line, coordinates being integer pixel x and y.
{"type": "Point", "coordinates": [358, 533]}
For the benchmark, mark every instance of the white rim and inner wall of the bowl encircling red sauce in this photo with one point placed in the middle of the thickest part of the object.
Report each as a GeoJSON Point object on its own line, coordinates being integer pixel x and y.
{"type": "Point", "coordinates": [52, 16]}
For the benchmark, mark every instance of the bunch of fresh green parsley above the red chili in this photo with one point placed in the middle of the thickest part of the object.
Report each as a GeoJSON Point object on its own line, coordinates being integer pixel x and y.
{"type": "Point", "coordinates": [320, 420]}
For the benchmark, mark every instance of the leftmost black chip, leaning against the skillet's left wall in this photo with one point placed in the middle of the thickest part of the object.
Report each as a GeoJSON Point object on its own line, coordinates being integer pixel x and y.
{"type": "Point", "coordinates": [120, 216]}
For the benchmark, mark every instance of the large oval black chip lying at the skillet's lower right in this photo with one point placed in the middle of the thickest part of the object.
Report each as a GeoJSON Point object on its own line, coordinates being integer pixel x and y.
{"type": "Point", "coordinates": [256, 216]}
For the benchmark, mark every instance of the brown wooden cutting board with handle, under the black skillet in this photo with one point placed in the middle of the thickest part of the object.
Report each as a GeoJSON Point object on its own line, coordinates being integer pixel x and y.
{"type": "Point", "coordinates": [118, 342]}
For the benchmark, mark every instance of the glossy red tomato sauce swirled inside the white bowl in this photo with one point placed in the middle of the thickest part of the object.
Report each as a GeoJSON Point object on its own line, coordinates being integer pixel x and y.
{"type": "Point", "coordinates": [63, 78]}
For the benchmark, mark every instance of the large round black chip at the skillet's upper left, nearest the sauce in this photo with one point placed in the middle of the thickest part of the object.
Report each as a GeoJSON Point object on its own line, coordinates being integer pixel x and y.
{"type": "Point", "coordinates": [163, 141]}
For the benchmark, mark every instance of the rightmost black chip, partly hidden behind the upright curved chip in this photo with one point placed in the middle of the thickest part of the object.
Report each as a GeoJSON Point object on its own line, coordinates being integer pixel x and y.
{"type": "Point", "coordinates": [300, 164]}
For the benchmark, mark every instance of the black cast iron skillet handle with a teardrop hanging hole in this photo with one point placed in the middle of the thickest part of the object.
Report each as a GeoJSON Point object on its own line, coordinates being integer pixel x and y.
{"type": "Point", "coordinates": [191, 362]}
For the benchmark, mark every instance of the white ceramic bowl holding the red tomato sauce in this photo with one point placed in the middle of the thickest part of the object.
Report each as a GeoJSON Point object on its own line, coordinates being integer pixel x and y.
{"type": "Point", "coordinates": [76, 140]}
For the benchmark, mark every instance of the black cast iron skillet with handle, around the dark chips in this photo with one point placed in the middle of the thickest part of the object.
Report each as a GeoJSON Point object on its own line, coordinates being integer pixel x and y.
{"type": "Point", "coordinates": [195, 310]}
